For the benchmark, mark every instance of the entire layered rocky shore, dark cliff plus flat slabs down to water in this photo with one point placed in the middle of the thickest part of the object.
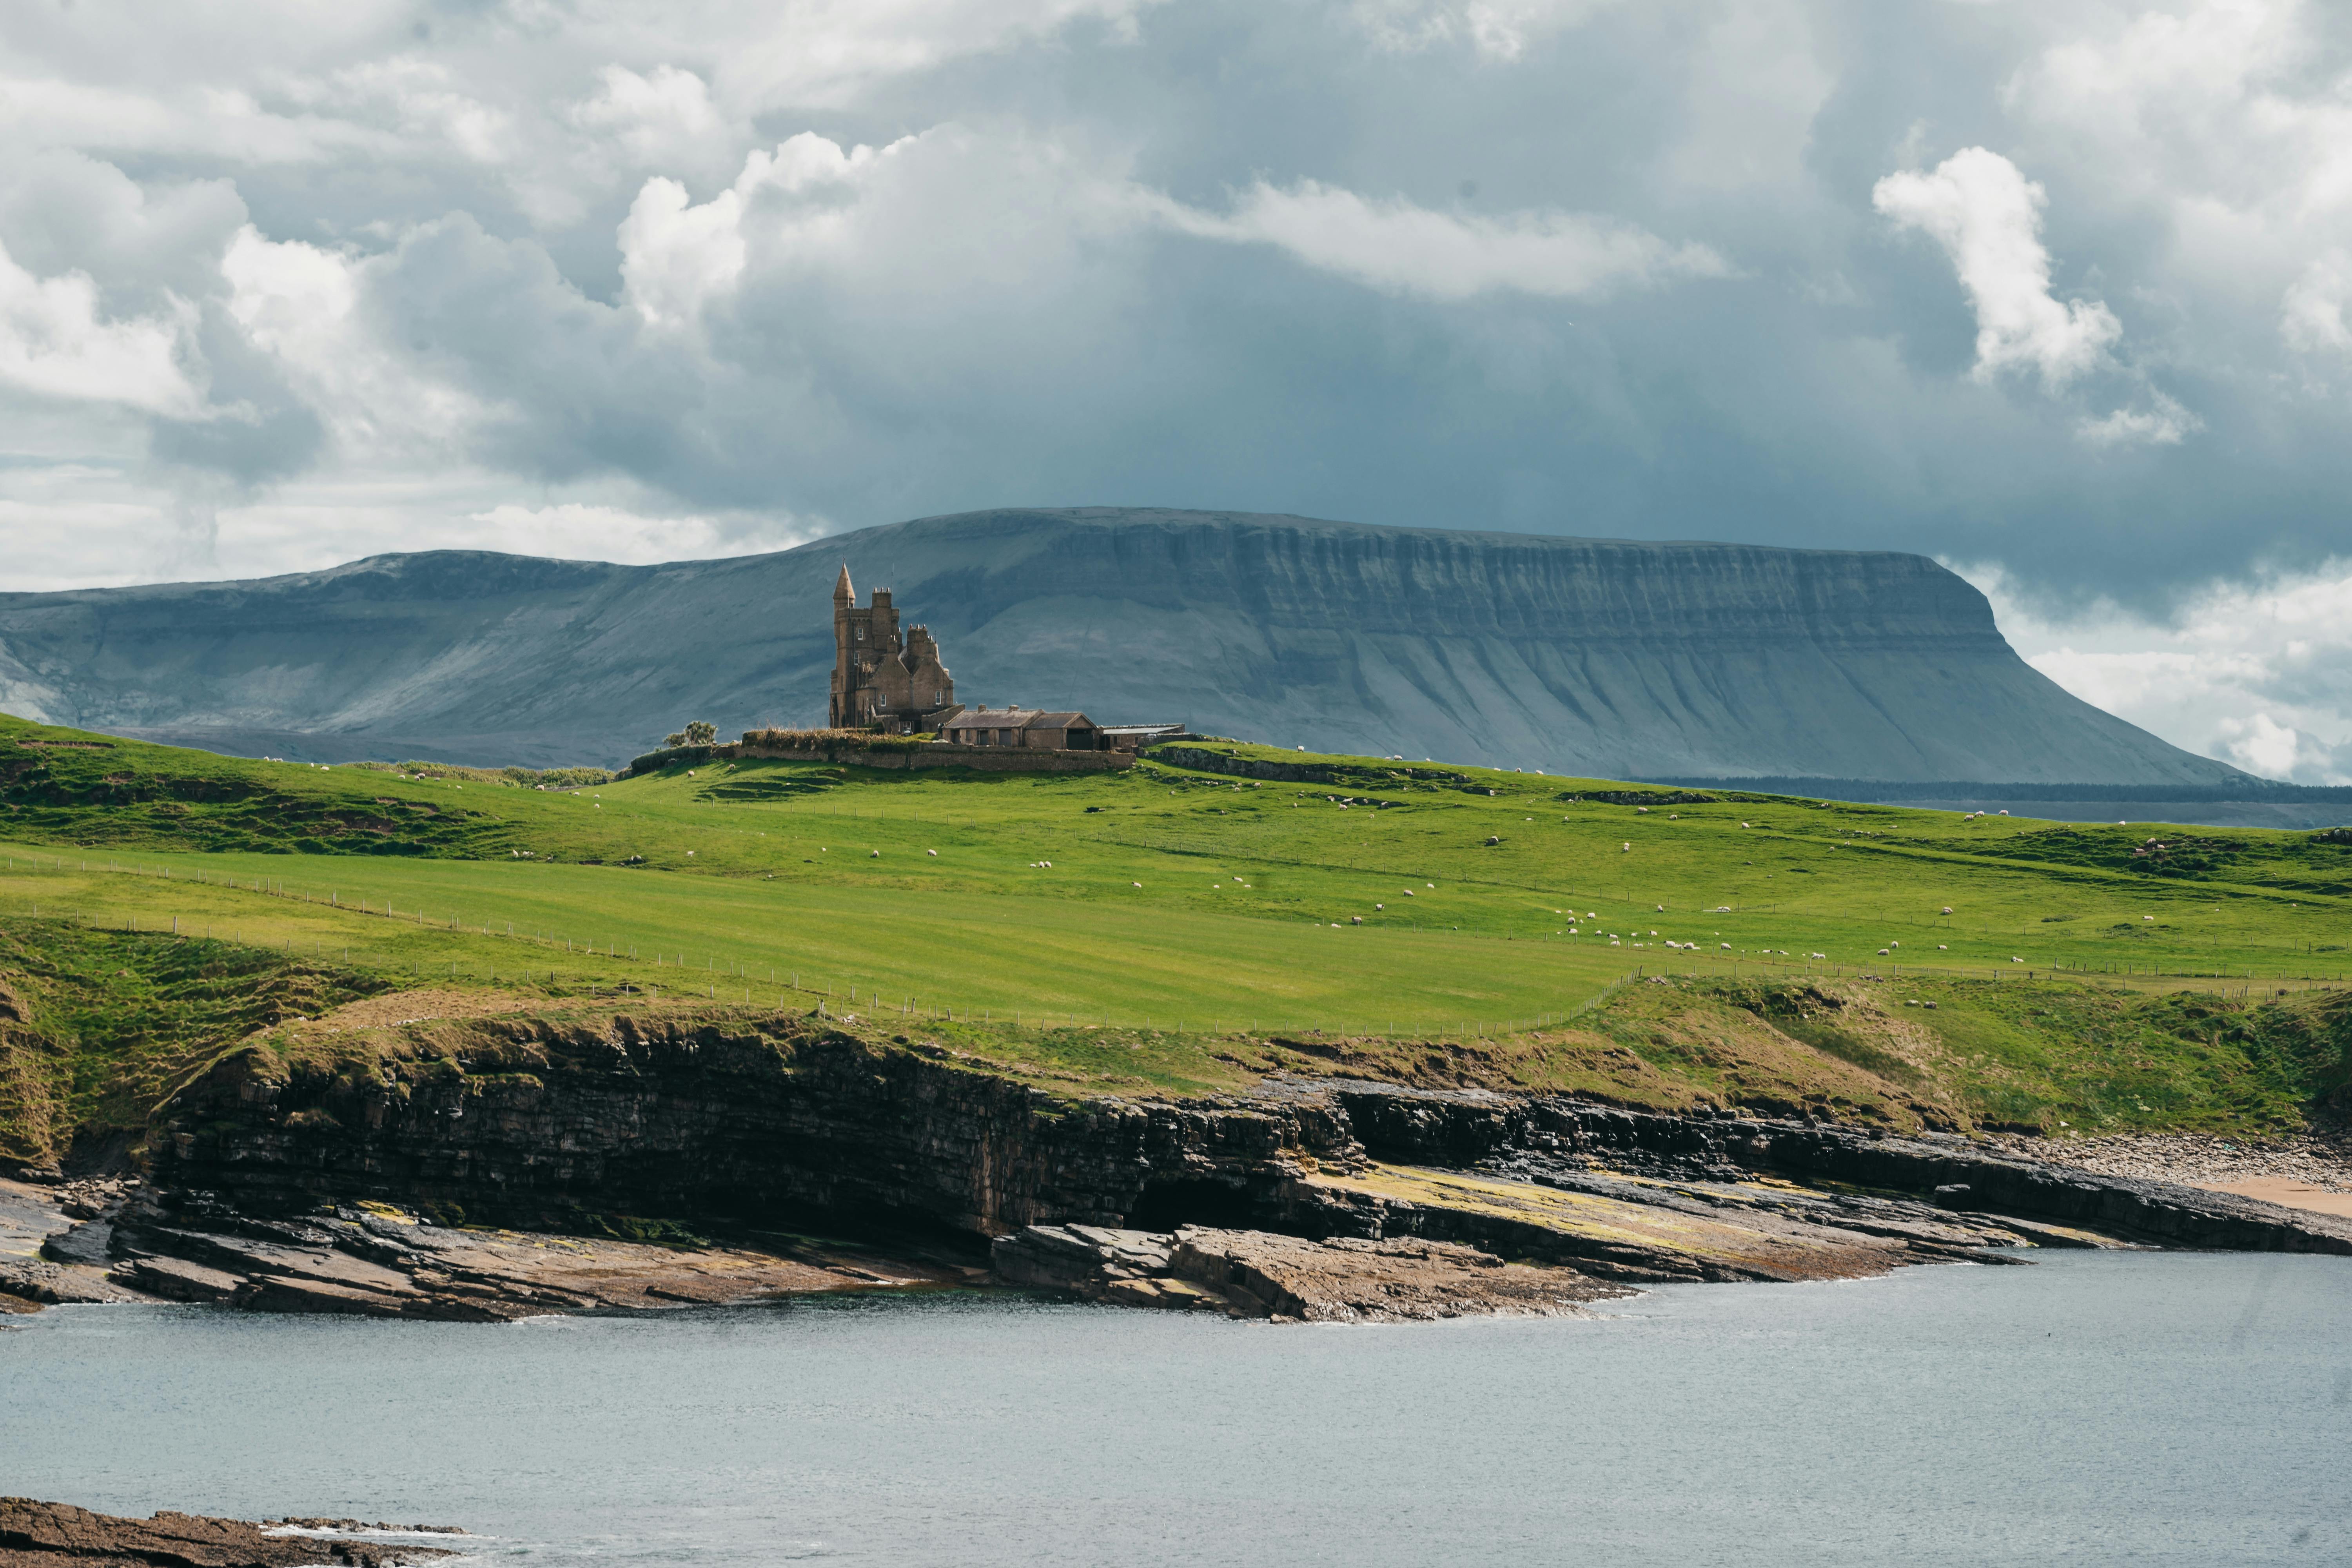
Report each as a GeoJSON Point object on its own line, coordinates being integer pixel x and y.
{"type": "Point", "coordinates": [469, 1172]}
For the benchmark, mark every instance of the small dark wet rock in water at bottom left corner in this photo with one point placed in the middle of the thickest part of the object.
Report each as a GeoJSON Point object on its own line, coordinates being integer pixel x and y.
{"type": "Point", "coordinates": [62, 1536]}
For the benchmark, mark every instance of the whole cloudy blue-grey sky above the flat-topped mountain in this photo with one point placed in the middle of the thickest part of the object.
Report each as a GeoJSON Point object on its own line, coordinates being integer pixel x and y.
{"type": "Point", "coordinates": [2057, 293]}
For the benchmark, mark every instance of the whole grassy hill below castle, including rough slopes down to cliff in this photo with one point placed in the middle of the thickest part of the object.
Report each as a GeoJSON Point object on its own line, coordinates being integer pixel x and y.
{"type": "Point", "coordinates": [1177, 925]}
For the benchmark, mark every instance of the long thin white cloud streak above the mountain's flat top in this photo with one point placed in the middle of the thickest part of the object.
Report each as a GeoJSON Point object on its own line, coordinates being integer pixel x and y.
{"type": "Point", "coordinates": [1401, 248]}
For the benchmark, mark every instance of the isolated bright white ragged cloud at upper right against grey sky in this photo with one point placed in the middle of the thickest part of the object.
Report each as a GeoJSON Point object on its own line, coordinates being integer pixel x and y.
{"type": "Point", "coordinates": [1989, 220]}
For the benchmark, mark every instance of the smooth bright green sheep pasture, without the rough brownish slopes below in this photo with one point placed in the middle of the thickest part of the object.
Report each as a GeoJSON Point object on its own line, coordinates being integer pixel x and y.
{"type": "Point", "coordinates": [1405, 897]}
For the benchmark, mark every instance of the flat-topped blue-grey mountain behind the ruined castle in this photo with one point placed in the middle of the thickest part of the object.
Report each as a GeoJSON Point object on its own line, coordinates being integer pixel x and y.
{"type": "Point", "coordinates": [1563, 655]}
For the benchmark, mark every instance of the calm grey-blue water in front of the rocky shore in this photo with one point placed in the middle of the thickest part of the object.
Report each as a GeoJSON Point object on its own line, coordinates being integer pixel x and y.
{"type": "Point", "coordinates": [2094, 1409]}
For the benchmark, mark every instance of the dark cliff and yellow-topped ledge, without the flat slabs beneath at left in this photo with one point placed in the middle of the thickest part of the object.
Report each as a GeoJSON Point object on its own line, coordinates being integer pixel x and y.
{"type": "Point", "coordinates": [794, 1125]}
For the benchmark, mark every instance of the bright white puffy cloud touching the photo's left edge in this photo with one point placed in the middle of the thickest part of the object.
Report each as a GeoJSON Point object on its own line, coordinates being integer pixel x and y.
{"type": "Point", "coordinates": [55, 342]}
